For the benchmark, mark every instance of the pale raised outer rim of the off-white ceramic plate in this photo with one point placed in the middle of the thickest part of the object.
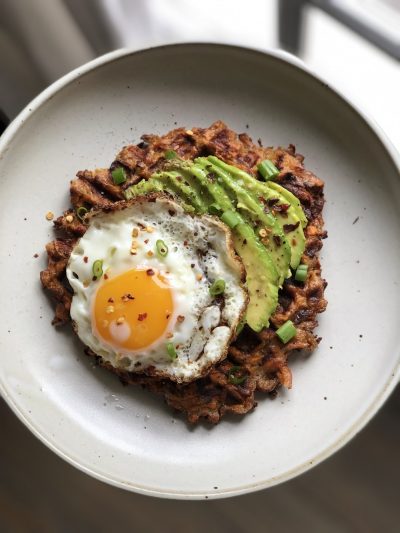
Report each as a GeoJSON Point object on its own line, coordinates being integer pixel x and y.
{"type": "Point", "coordinates": [280, 55]}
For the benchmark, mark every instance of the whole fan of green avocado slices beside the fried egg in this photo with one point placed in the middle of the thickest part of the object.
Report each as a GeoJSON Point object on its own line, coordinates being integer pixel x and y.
{"type": "Point", "coordinates": [210, 185]}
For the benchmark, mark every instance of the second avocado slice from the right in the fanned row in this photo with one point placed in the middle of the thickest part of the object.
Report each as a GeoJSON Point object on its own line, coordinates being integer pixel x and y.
{"type": "Point", "coordinates": [252, 211]}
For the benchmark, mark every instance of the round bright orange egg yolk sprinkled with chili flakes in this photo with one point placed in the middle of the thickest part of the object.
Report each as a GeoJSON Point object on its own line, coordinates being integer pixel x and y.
{"type": "Point", "coordinates": [132, 310]}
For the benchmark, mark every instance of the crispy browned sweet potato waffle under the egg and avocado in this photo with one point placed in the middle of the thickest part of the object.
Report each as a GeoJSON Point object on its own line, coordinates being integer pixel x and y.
{"type": "Point", "coordinates": [259, 357]}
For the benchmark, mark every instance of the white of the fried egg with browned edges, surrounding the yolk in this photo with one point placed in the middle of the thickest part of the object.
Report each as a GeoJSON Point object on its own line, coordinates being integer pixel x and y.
{"type": "Point", "coordinates": [199, 252]}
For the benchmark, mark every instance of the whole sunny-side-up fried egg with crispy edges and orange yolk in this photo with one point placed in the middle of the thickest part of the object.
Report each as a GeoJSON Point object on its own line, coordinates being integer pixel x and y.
{"type": "Point", "coordinates": [144, 278]}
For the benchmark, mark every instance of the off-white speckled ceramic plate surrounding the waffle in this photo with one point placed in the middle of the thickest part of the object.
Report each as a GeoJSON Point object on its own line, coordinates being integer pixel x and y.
{"type": "Point", "coordinates": [124, 435]}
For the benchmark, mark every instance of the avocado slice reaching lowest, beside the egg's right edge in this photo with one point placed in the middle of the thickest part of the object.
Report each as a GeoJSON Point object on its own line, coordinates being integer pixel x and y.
{"type": "Point", "coordinates": [262, 276]}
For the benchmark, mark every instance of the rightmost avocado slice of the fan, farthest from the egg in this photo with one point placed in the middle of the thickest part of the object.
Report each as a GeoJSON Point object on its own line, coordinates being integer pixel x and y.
{"type": "Point", "coordinates": [288, 219]}
